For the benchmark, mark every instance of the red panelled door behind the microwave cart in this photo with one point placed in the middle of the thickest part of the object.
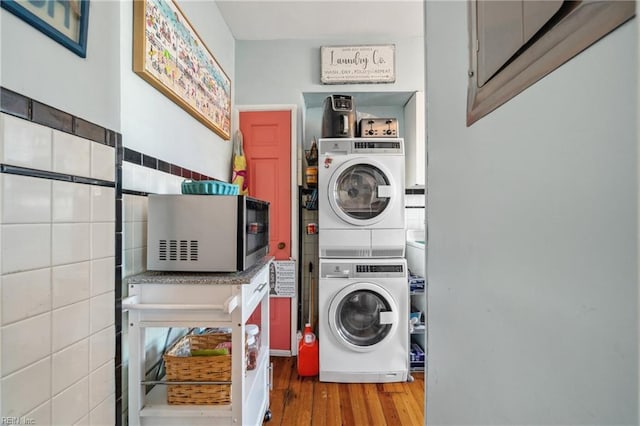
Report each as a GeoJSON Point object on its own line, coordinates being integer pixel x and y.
{"type": "Point", "coordinates": [267, 147]}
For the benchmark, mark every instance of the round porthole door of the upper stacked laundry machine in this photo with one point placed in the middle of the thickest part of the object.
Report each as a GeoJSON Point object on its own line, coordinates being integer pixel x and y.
{"type": "Point", "coordinates": [361, 192]}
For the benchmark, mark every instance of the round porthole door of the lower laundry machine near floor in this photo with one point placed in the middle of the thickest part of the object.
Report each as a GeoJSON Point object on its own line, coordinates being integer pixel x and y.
{"type": "Point", "coordinates": [362, 316]}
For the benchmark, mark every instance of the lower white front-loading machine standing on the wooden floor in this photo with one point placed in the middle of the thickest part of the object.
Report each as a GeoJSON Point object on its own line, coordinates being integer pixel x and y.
{"type": "Point", "coordinates": [363, 320]}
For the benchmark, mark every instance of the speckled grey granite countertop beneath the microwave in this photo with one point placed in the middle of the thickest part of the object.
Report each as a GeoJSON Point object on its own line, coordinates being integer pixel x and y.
{"type": "Point", "coordinates": [212, 278]}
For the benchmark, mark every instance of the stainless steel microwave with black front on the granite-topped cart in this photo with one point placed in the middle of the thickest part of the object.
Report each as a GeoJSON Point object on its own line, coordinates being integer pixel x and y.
{"type": "Point", "coordinates": [207, 233]}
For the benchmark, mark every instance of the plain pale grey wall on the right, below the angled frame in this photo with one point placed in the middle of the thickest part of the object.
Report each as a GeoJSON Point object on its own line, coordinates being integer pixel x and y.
{"type": "Point", "coordinates": [532, 218]}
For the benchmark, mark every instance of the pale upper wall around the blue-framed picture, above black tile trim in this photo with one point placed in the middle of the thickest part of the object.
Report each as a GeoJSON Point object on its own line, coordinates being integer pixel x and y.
{"type": "Point", "coordinates": [34, 65]}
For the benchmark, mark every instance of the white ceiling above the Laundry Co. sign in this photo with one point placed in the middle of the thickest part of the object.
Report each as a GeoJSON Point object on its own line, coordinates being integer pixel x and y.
{"type": "Point", "coordinates": [322, 19]}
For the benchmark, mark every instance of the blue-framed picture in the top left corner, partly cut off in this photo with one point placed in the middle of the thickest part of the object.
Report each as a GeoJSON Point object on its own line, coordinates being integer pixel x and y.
{"type": "Point", "coordinates": [66, 22]}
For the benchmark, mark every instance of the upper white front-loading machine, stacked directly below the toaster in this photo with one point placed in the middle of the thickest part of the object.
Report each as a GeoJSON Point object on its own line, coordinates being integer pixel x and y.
{"type": "Point", "coordinates": [361, 197]}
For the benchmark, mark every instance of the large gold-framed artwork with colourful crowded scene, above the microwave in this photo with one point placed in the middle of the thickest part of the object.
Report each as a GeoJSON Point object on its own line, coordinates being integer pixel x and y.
{"type": "Point", "coordinates": [169, 55]}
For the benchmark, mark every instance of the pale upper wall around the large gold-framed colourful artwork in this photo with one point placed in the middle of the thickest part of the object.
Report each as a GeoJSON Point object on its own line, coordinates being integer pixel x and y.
{"type": "Point", "coordinates": [155, 125]}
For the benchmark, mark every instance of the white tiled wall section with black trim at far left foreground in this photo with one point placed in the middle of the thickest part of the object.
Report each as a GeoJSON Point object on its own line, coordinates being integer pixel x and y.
{"type": "Point", "coordinates": [57, 267]}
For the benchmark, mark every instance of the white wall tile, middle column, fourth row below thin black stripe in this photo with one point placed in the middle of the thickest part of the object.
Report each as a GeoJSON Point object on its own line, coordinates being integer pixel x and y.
{"type": "Point", "coordinates": [70, 325]}
